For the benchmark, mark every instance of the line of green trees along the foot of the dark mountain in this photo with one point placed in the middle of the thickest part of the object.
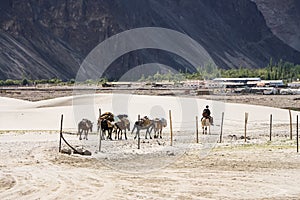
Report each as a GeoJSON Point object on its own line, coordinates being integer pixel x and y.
{"type": "Point", "coordinates": [281, 70]}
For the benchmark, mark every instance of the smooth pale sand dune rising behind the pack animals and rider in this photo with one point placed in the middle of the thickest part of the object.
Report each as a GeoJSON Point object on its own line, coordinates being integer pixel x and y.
{"type": "Point", "coordinates": [45, 115]}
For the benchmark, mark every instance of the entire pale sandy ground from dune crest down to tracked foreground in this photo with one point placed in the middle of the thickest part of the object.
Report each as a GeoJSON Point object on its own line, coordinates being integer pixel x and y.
{"type": "Point", "coordinates": [32, 168]}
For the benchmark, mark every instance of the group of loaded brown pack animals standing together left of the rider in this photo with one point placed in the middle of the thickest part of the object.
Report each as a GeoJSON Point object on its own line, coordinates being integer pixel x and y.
{"type": "Point", "coordinates": [109, 124]}
